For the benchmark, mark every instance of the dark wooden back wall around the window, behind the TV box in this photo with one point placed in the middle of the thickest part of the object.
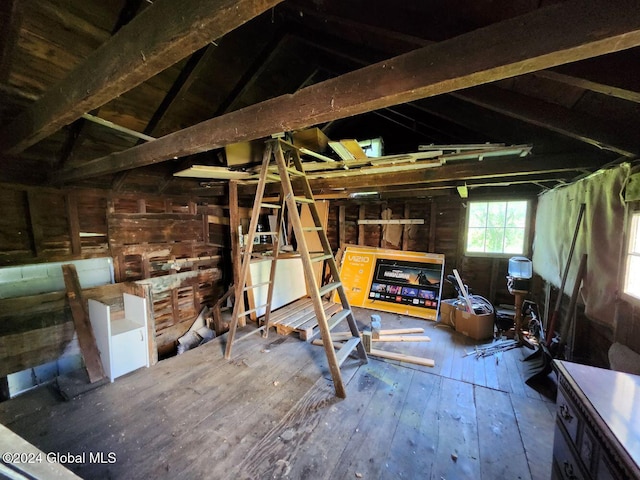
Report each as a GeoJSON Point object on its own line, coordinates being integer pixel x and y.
{"type": "Point", "coordinates": [443, 232]}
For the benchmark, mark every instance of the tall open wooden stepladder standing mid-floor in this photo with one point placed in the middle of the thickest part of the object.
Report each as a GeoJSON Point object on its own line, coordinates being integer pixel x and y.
{"type": "Point", "coordinates": [295, 191]}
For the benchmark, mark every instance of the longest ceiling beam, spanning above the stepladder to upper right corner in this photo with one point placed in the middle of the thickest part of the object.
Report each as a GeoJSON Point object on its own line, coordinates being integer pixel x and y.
{"type": "Point", "coordinates": [513, 47]}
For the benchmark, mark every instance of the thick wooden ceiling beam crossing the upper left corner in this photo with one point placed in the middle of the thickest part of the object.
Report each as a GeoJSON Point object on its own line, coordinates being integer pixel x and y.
{"type": "Point", "coordinates": [160, 36]}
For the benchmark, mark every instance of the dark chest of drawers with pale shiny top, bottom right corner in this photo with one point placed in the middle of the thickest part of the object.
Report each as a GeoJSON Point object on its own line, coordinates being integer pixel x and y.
{"type": "Point", "coordinates": [597, 434]}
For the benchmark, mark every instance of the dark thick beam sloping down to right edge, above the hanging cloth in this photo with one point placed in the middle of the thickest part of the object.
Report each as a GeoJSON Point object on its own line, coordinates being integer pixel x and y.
{"type": "Point", "coordinates": [588, 129]}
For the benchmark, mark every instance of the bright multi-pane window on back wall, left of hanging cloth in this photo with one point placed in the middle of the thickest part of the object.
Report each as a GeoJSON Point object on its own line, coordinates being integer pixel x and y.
{"type": "Point", "coordinates": [497, 227]}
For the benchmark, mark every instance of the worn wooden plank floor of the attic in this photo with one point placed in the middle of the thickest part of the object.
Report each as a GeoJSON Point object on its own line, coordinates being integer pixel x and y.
{"type": "Point", "coordinates": [271, 413]}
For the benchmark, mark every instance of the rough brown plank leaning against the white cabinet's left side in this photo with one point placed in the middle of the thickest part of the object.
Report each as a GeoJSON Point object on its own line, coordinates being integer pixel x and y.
{"type": "Point", "coordinates": [82, 324]}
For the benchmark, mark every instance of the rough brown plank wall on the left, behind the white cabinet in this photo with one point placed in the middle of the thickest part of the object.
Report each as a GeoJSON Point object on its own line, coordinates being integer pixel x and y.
{"type": "Point", "coordinates": [176, 242]}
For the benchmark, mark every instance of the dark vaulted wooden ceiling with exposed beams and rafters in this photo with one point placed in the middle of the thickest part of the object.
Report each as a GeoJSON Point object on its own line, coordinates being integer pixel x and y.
{"type": "Point", "coordinates": [124, 93]}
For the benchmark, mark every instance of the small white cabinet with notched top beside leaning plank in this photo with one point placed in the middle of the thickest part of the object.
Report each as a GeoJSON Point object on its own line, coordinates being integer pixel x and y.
{"type": "Point", "coordinates": [122, 340]}
